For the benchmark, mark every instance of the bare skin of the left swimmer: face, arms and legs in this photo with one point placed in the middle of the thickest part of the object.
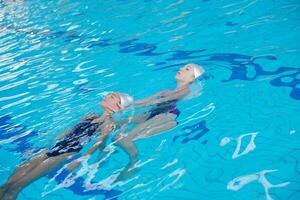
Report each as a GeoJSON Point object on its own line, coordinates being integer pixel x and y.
{"type": "Point", "coordinates": [41, 165]}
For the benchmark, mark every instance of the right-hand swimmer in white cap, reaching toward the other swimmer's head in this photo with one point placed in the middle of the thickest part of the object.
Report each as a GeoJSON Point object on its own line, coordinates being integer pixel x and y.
{"type": "Point", "coordinates": [160, 118]}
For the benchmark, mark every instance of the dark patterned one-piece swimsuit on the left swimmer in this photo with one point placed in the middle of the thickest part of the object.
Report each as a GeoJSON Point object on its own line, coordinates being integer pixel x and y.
{"type": "Point", "coordinates": [74, 141]}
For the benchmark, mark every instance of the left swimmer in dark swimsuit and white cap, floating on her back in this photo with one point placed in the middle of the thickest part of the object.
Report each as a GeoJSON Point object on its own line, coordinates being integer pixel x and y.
{"type": "Point", "coordinates": [72, 142]}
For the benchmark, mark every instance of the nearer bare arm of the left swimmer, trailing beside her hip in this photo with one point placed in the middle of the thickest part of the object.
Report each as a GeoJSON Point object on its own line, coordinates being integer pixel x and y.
{"type": "Point", "coordinates": [108, 127]}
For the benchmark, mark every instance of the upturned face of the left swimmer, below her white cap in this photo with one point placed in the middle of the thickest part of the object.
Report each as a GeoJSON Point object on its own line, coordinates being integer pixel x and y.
{"type": "Point", "coordinates": [112, 103]}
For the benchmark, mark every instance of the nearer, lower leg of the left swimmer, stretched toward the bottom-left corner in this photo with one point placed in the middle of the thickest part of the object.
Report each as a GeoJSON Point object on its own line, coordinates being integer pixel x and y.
{"type": "Point", "coordinates": [45, 167]}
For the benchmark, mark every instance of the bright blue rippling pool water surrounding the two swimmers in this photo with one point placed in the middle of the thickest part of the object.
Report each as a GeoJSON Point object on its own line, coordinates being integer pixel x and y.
{"type": "Point", "coordinates": [238, 140]}
